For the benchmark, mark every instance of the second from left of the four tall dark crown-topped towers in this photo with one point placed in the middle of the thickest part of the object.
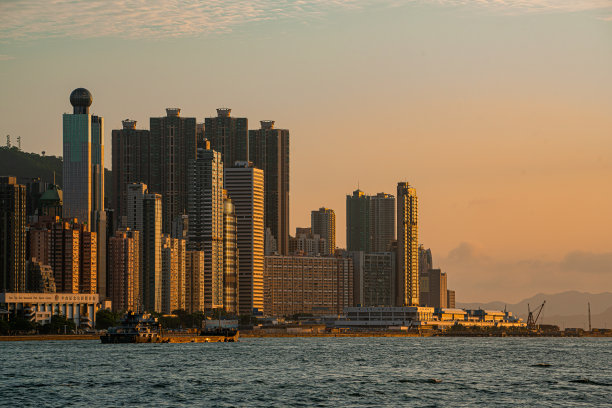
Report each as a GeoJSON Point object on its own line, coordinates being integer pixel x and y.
{"type": "Point", "coordinates": [173, 143]}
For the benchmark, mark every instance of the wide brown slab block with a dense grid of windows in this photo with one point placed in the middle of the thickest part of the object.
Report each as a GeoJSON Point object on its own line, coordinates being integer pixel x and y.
{"type": "Point", "coordinates": [313, 285]}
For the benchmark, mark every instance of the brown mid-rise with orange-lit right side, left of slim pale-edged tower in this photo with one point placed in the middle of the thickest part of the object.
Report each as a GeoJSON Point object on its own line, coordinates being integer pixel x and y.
{"type": "Point", "coordinates": [124, 270]}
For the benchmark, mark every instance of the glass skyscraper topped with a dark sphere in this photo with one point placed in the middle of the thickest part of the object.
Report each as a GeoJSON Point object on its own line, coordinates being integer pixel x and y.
{"type": "Point", "coordinates": [83, 174]}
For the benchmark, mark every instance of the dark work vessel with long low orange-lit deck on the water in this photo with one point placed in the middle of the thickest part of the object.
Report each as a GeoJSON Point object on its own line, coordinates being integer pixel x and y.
{"type": "Point", "coordinates": [144, 328]}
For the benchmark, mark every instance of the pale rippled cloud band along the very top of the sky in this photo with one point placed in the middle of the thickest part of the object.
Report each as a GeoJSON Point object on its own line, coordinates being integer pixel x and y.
{"type": "Point", "coordinates": [31, 19]}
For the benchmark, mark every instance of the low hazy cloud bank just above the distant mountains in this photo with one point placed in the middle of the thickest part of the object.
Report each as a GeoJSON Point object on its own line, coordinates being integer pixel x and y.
{"type": "Point", "coordinates": [476, 276]}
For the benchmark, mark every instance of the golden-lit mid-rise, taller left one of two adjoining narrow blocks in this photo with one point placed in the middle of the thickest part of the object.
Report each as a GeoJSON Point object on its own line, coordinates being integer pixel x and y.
{"type": "Point", "coordinates": [173, 274]}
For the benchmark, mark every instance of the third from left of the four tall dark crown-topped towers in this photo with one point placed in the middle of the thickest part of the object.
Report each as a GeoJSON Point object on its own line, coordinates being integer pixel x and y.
{"type": "Point", "coordinates": [229, 136]}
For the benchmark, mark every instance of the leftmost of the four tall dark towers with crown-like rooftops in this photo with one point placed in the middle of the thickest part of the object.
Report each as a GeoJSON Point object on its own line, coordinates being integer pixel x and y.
{"type": "Point", "coordinates": [132, 163]}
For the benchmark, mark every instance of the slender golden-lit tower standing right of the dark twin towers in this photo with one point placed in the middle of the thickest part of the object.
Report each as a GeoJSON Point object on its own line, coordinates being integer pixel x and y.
{"type": "Point", "coordinates": [408, 246]}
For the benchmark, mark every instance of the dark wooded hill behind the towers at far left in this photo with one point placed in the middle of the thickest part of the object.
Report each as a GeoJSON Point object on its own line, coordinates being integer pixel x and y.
{"type": "Point", "coordinates": [23, 165]}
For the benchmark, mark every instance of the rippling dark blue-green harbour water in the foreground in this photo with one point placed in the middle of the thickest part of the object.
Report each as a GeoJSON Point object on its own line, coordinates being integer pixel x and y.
{"type": "Point", "coordinates": [322, 372]}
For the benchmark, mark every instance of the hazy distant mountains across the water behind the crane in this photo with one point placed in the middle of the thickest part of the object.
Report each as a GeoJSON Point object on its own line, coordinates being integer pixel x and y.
{"type": "Point", "coordinates": [567, 309]}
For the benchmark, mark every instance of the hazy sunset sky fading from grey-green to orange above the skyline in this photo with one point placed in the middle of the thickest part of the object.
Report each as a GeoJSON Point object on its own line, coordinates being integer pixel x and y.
{"type": "Point", "coordinates": [498, 112]}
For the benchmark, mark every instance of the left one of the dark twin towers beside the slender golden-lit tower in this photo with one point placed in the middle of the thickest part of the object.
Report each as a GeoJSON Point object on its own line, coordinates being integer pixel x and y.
{"type": "Point", "coordinates": [358, 235]}
